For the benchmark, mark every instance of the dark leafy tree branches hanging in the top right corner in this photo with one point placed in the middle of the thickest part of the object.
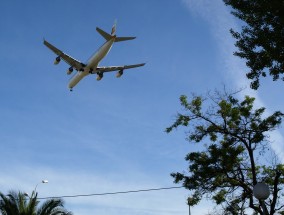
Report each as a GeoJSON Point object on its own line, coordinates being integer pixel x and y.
{"type": "Point", "coordinates": [261, 41]}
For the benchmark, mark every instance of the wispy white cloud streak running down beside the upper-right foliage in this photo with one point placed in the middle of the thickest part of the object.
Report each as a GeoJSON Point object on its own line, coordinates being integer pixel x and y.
{"type": "Point", "coordinates": [221, 21]}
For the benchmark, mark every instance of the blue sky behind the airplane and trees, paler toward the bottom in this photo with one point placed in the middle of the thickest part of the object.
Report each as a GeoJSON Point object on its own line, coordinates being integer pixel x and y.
{"type": "Point", "coordinates": [109, 135]}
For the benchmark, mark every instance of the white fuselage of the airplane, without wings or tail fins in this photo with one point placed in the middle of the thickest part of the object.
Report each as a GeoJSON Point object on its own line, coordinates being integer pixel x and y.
{"type": "Point", "coordinates": [92, 63]}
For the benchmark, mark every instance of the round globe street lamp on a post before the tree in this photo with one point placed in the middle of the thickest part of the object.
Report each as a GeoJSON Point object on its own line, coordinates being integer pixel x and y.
{"type": "Point", "coordinates": [261, 192]}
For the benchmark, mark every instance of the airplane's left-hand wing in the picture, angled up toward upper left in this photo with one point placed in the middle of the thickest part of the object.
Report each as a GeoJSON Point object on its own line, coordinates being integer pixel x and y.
{"type": "Point", "coordinates": [68, 59]}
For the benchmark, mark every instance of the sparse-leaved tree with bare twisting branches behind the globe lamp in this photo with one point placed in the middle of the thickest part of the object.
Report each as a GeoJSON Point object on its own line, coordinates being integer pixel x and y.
{"type": "Point", "coordinates": [235, 135]}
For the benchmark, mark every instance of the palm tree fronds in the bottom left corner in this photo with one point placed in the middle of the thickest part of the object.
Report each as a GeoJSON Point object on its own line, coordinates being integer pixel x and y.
{"type": "Point", "coordinates": [18, 204]}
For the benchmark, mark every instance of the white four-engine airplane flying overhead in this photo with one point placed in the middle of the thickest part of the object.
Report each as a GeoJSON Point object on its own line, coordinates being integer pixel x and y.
{"type": "Point", "coordinates": [91, 66]}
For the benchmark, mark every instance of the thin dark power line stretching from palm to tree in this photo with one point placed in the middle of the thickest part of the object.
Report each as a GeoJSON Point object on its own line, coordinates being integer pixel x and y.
{"type": "Point", "coordinates": [112, 193]}
